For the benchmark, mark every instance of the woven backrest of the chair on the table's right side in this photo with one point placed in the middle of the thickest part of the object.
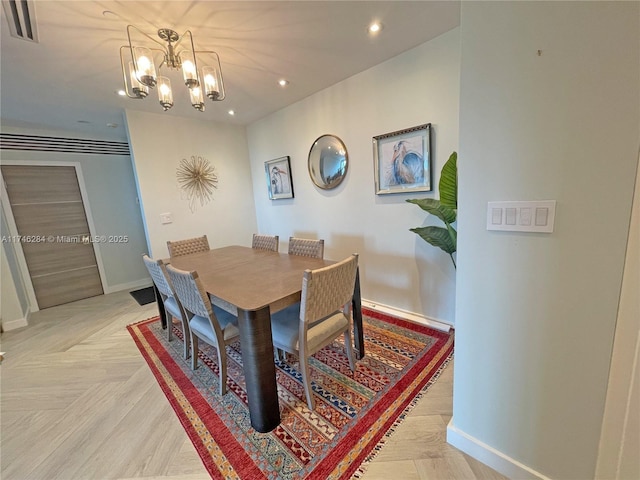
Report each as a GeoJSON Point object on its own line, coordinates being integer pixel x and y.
{"type": "Point", "coordinates": [327, 289]}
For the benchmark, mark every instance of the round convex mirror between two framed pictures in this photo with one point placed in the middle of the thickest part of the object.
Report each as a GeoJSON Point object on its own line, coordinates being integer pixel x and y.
{"type": "Point", "coordinates": [328, 161]}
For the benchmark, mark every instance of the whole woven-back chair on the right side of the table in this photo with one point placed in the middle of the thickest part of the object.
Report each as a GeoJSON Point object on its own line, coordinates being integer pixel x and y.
{"type": "Point", "coordinates": [323, 314]}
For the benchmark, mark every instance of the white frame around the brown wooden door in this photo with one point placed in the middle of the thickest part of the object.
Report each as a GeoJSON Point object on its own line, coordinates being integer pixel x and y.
{"type": "Point", "coordinates": [13, 229]}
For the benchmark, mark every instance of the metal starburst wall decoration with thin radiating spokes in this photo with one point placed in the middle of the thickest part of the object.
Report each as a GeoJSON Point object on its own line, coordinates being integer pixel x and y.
{"type": "Point", "coordinates": [197, 179]}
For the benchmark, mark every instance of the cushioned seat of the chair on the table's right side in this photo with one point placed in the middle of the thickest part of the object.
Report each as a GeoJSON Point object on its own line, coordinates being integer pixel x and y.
{"type": "Point", "coordinates": [285, 328]}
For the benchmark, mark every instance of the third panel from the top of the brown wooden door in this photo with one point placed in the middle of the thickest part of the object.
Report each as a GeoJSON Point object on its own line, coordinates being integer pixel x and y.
{"type": "Point", "coordinates": [44, 258]}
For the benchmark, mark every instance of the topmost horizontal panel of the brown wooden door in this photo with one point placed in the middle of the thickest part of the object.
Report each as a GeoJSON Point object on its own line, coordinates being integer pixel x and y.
{"type": "Point", "coordinates": [25, 184]}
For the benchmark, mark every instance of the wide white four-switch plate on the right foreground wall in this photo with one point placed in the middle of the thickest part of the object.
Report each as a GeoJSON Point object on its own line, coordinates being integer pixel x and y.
{"type": "Point", "coordinates": [522, 216]}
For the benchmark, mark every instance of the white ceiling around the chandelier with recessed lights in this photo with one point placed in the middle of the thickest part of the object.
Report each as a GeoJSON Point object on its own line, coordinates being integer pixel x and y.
{"type": "Point", "coordinates": [70, 77]}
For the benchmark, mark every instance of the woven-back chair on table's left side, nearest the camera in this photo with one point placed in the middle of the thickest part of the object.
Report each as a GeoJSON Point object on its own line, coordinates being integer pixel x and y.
{"type": "Point", "coordinates": [207, 322]}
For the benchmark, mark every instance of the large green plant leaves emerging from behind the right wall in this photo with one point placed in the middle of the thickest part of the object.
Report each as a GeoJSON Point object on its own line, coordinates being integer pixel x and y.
{"type": "Point", "coordinates": [445, 209]}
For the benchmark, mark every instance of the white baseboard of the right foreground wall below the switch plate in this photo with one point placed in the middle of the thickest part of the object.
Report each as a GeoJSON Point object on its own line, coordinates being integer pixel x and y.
{"type": "Point", "coordinates": [490, 456]}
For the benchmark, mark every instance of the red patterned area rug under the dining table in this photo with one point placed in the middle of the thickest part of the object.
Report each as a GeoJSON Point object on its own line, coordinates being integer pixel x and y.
{"type": "Point", "coordinates": [355, 412]}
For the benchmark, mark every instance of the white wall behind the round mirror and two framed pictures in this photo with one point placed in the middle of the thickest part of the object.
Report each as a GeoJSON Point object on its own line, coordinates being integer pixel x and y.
{"type": "Point", "coordinates": [397, 267]}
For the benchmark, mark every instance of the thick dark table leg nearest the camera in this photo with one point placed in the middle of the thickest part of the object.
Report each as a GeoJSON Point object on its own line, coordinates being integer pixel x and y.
{"type": "Point", "coordinates": [259, 368]}
